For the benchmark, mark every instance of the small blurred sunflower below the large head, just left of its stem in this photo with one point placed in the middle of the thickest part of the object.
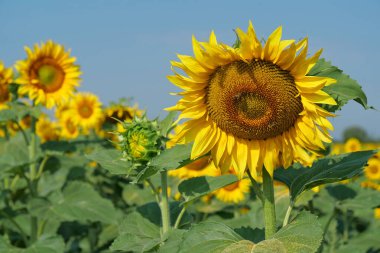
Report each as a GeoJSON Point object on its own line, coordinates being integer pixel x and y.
{"type": "Point", "coordinates": [235, 192]}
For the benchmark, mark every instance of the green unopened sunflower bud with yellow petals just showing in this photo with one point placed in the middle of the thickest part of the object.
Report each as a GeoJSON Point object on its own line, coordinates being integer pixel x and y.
{"type": "Point", "coordinates": [141, 140]}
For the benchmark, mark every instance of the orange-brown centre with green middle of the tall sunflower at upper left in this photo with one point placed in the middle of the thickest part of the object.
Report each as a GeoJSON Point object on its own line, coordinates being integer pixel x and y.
{"type": "Point", "coordinates": [47, 74]}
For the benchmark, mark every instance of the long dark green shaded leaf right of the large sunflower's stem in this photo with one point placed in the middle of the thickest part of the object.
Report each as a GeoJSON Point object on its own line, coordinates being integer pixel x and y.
{"type": "Point", "coordinates": [326, 170]}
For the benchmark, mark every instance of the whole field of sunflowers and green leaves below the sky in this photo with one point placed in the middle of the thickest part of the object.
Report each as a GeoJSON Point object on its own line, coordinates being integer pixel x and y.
{"type": "Point", "coordinates": [243, 162]}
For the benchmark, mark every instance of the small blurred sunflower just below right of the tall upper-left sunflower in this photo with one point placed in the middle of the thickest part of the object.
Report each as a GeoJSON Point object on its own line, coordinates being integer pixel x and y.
{"type": "Point", "coordinates": [85, 110]}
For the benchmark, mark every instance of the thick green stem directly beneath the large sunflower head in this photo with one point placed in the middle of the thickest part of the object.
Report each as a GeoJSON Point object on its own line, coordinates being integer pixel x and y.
{"type": "Point", "coordinates": [269, 206]}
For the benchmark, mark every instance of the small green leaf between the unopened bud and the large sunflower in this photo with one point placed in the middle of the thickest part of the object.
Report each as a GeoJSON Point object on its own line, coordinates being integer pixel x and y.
{"type": "Point", "coordinates": [172, 158]}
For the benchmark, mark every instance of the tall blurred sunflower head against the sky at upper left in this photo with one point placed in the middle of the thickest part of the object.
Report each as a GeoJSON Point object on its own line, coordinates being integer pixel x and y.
{"type": "Point", "coordinates": [49, 75]}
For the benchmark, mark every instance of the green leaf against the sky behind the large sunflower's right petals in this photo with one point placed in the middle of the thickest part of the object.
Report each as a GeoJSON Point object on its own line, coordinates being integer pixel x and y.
{"type": "Point", "coordinates": [344, 90]}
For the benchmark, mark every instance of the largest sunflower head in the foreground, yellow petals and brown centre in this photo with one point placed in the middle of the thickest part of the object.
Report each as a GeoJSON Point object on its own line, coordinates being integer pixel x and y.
{"type": "Point", "coordinates": [253, 105]}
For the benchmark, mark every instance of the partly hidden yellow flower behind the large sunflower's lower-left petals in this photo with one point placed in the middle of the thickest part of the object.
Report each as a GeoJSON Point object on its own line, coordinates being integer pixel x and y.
{"type": "Point", "coordinates": [201, 167]}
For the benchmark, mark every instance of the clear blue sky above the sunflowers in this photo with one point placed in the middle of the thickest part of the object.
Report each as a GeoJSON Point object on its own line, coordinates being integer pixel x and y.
{"type": "Point", "coordinates": [124, 47]}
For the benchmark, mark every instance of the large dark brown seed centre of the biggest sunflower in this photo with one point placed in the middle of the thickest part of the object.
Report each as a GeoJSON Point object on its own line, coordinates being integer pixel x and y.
{"type": "Point", "coordinates": [255, 100]}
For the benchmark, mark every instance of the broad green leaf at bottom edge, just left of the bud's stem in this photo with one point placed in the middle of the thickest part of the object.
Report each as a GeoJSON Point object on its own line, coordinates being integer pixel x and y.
{"type": "Point", "coordinates": [137, 234]}
